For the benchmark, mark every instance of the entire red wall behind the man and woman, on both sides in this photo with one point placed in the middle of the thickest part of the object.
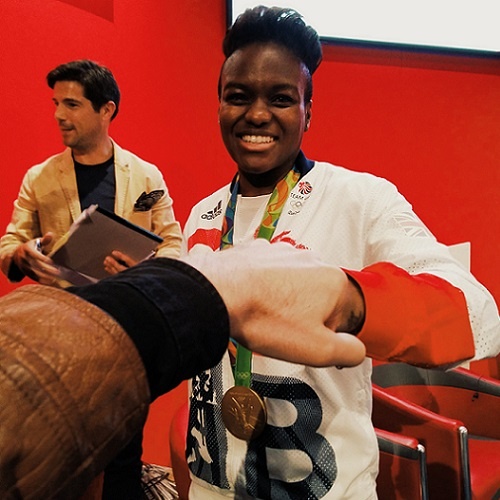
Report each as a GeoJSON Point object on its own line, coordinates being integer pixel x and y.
{"type": "Point", "coordinates": [428, 122]}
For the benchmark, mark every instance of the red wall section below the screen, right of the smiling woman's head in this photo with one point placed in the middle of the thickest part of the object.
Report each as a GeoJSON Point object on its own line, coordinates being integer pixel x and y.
{"type": "Point", "coordinates": [431, 124]}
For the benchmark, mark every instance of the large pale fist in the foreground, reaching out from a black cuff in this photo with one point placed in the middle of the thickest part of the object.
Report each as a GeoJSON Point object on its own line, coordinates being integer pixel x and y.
{"type": "Point", "coordinates": [286, 303]}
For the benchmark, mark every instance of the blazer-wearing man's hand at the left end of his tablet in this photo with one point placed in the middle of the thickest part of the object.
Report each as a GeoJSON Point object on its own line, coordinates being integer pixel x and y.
{"type": "Point", "coordinates": [29, 257]}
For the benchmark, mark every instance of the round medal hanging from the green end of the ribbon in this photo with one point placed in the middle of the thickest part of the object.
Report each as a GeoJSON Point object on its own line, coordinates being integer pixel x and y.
{"type": "Point", "coordinates": [243, 412]}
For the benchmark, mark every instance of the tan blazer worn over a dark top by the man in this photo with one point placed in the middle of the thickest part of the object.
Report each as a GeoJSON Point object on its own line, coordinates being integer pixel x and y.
{"type": "Point", "coordinates": [48, 201]}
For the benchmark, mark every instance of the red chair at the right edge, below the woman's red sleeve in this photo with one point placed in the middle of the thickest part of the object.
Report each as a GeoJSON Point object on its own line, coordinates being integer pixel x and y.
{"type": "Point", "coordinates": [454, 414]}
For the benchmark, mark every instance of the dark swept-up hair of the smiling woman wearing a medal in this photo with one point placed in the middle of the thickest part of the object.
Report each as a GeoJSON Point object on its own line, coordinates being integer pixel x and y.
{"type": "Point", "coordinates": [282, 26]}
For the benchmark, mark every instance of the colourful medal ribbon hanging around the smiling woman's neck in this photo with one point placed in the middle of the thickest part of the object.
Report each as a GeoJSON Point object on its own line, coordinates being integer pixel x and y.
{"type": "Point", "coordinates": [243, 366]}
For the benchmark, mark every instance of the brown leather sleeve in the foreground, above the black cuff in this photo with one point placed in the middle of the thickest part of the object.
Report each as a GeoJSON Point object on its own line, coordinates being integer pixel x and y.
{"type": "Point", "coordinates": [73, 391]}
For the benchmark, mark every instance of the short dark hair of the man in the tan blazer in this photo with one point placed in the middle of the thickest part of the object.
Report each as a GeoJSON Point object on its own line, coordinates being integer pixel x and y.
{"type": "Point", "coordinates": [99, 84]}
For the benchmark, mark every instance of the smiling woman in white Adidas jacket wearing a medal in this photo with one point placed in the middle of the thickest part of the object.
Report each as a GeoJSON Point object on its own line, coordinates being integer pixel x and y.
{"type": "Point", "coordinates": [327, 448]}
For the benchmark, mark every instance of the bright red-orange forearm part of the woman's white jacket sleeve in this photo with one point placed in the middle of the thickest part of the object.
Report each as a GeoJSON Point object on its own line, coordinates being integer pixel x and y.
{"type": "Point", "coordinates": [418, 319]}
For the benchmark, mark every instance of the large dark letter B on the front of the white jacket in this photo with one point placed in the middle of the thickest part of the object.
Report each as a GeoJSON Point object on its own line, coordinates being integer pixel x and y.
{"type": "Point", "coordinates": [290, 459]}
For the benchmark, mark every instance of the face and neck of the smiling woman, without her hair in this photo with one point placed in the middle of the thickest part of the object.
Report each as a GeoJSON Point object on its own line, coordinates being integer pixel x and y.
{"type": "Point", "coordinates": [263, 113]}
